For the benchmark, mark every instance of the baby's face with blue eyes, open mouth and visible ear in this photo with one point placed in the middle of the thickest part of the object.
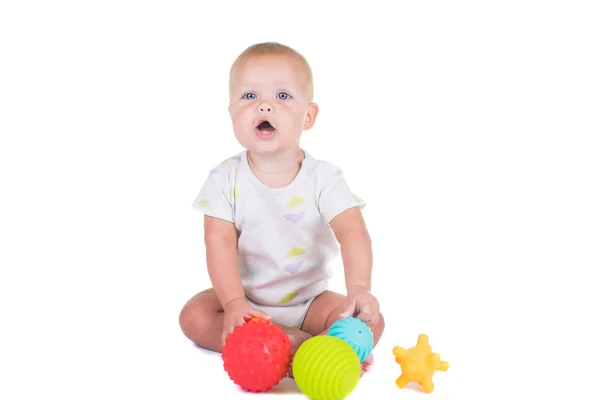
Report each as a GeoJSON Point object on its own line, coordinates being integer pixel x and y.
{"type": "Point", "coordinates": [269, 104]}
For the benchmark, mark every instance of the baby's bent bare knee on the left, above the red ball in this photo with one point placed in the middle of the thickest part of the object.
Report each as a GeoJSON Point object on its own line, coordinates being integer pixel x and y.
{"type": "Point", "coordinates": [201, 320]}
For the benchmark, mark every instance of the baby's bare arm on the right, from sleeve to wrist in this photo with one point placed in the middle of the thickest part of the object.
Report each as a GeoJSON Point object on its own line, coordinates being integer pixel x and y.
{"type": "Point", "coordinates": [355, 245]}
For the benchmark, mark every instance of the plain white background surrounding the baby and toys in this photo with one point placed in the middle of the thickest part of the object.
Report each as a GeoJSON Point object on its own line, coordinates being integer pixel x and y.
{"type": "Point", "coordinates": [470, 128]}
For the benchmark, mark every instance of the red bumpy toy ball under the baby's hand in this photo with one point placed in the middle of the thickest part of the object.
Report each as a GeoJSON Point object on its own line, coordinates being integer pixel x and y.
{"type": "Point", "coordinates": [257, 355]}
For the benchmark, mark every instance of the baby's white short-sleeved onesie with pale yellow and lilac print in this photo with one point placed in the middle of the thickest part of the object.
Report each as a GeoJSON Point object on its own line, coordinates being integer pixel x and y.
{"type": "Point", "coordinates": [285, 243]}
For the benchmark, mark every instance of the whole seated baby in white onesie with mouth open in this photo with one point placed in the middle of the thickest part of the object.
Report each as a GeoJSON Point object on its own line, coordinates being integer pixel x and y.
{"type": "Point", "coordinates": [274, 216]}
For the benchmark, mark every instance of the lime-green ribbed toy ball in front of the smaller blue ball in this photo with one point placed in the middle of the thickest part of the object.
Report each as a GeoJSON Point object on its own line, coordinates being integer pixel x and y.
{"type": "Point", "coordinates": [326, 368]}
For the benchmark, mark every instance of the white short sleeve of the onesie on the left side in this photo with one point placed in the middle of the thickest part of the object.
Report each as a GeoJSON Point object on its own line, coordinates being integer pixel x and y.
{"type": "Point", "coordinates": [213, 198]}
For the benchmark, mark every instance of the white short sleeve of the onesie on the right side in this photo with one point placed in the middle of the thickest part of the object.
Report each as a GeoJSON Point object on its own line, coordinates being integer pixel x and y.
{"type": "Point", "coordinates": [335, 196]}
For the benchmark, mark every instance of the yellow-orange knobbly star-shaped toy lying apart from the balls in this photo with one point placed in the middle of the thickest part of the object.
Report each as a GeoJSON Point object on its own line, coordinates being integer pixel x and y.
{"type": "Point", "coordinates": [418, 364]}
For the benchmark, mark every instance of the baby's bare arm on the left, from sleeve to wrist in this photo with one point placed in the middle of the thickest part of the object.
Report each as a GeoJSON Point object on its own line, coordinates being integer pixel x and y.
{"type": "Point", "coordinates": [220, 239]}
